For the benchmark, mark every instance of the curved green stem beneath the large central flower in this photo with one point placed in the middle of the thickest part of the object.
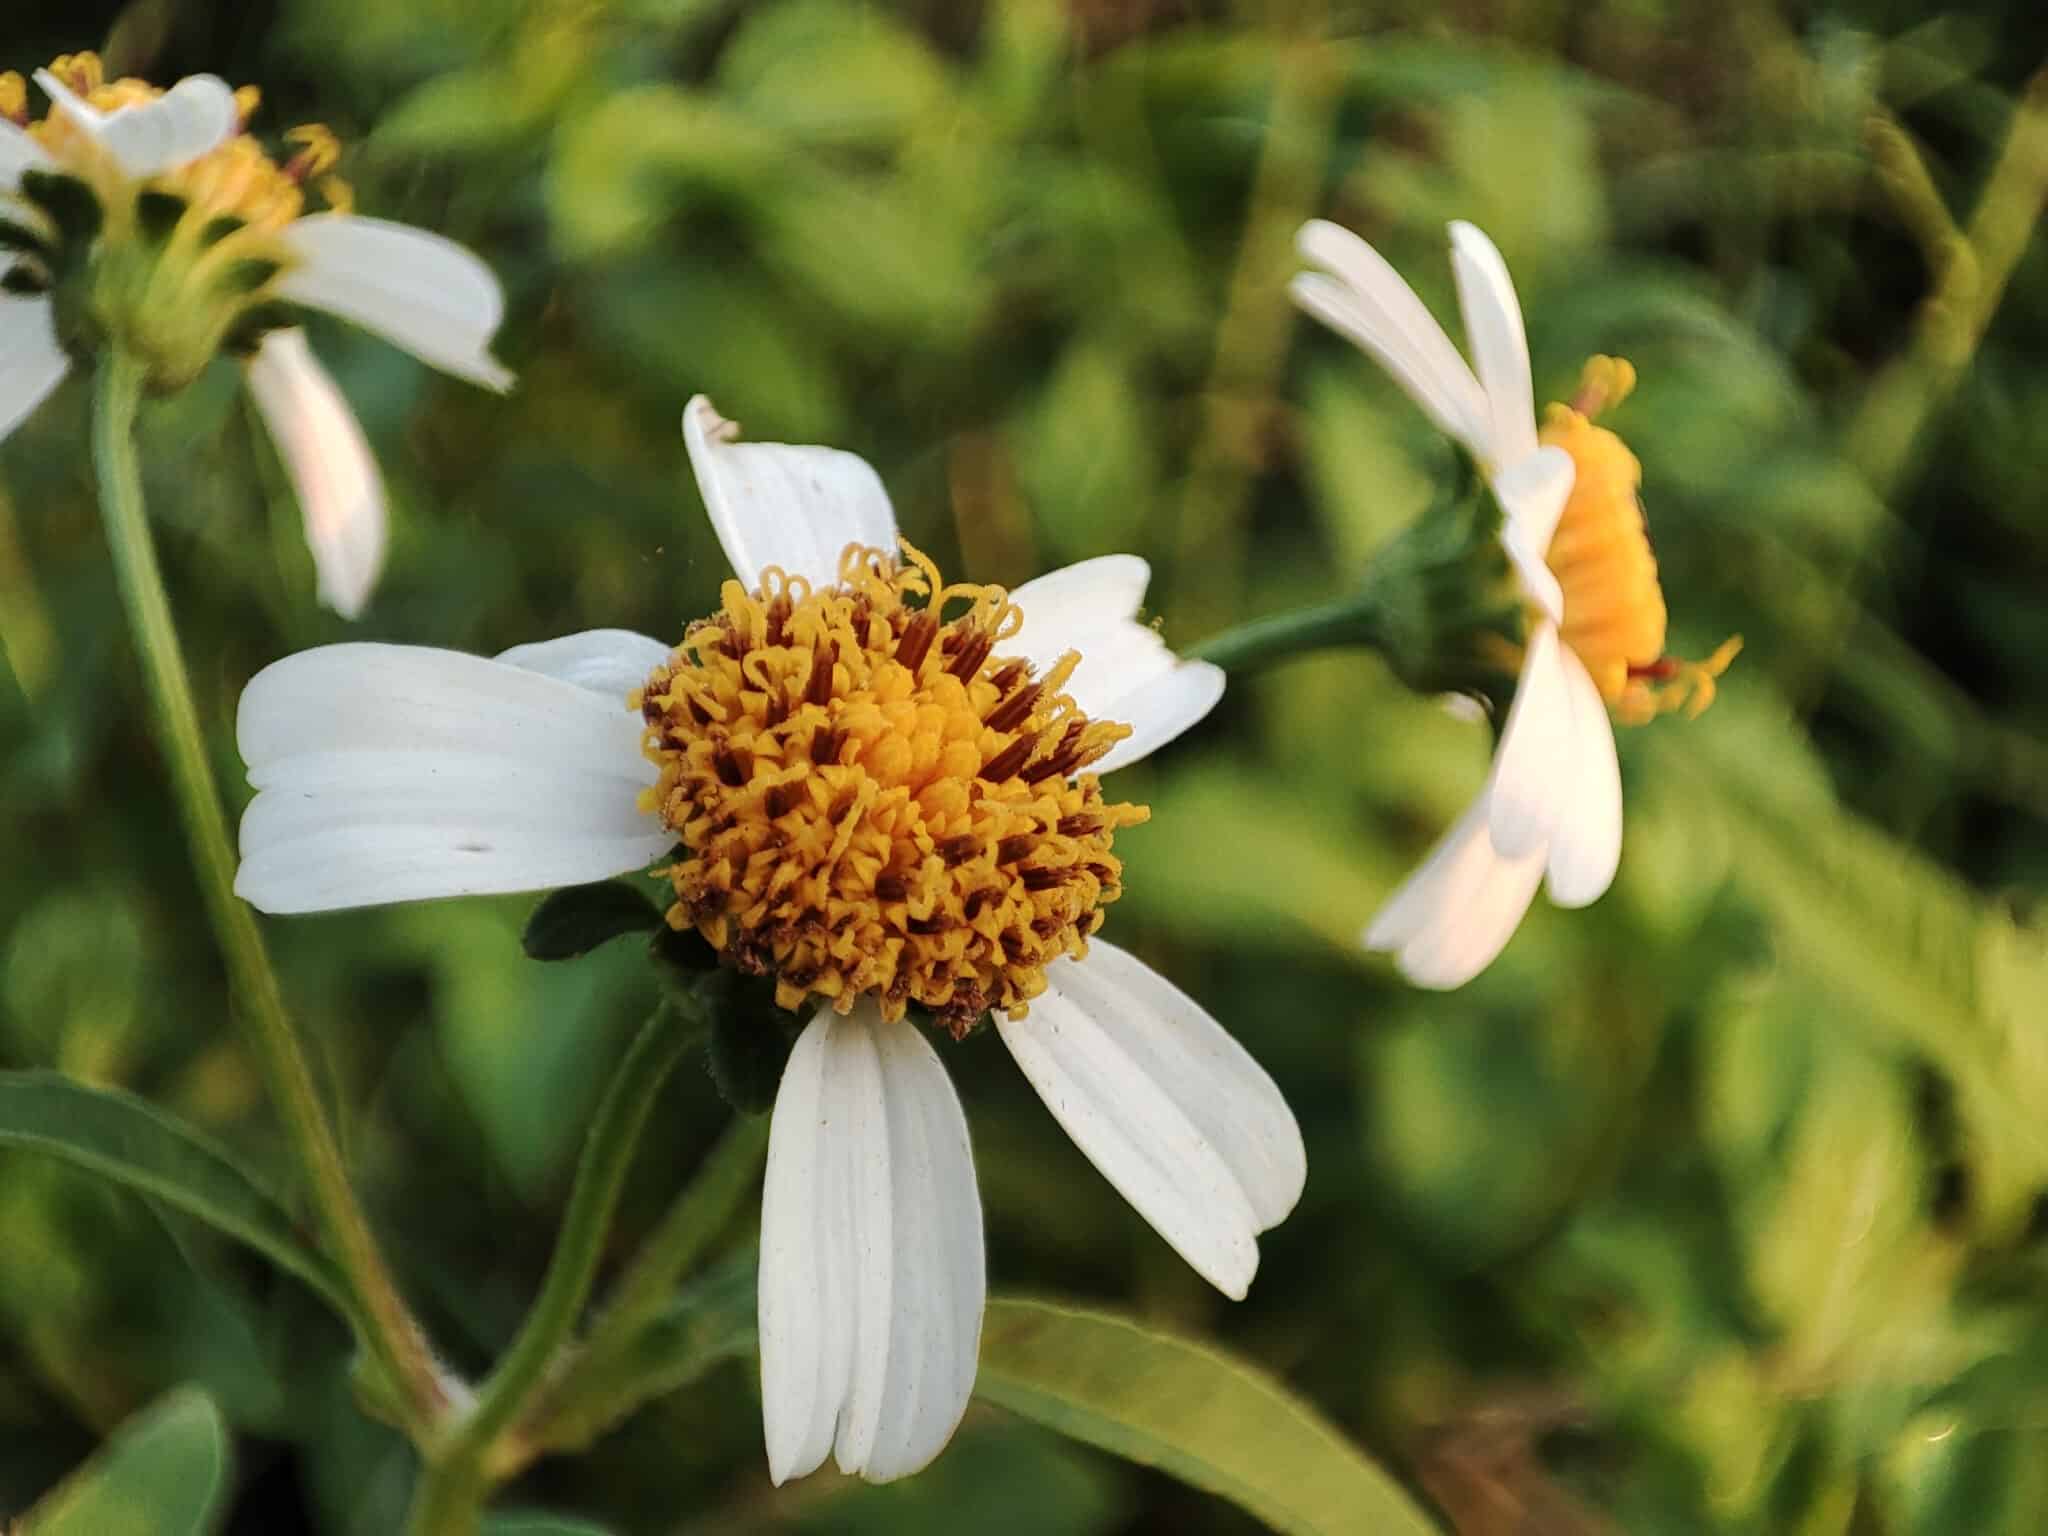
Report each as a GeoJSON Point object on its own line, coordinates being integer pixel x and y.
{"type": "Point", "coordinates": [460, 1471]}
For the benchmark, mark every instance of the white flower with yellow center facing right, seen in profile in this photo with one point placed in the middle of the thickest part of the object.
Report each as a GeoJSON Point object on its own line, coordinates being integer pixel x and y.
{"type": "Point", "coordinates": [1572, 527]}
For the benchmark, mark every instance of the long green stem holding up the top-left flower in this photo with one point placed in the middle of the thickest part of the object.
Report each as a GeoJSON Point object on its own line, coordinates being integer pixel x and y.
{"type": "Point", "coordinates": [388, 1330]}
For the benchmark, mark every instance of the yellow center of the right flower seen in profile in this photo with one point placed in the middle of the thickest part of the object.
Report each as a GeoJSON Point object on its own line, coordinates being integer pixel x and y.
{"type": "Point", "coordinates": [1601, 554]}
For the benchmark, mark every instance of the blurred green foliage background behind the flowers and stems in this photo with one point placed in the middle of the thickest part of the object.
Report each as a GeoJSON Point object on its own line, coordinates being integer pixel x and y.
{"type": "Point", "coordinates": [1721, 1207]}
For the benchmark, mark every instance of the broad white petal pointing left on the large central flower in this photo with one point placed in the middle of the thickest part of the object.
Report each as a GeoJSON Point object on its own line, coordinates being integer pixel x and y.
{"type": "Point", "coordinates": [394, 773]}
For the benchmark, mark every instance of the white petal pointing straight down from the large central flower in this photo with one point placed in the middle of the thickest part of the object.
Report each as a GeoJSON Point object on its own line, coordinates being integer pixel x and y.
{"type": "Point", "coordinates": [871, 1277]}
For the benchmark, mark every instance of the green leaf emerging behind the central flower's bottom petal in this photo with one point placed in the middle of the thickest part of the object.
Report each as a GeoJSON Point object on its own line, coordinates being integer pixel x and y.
{"type": "Point", "coordinates": [1187, 1410]}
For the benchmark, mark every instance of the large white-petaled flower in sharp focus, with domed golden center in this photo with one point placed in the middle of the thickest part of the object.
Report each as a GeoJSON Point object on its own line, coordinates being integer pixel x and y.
{"type": "Point", "coordinates": [878, 790]}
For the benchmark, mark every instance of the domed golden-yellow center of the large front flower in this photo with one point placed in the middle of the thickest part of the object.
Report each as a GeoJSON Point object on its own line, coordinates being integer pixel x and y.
{"type": "Point", "coordinates": [871, 800]}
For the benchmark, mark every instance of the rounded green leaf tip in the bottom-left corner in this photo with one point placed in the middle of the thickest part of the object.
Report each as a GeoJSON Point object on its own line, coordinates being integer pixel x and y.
{"type": "Point", "coordinates": [165, 1474]}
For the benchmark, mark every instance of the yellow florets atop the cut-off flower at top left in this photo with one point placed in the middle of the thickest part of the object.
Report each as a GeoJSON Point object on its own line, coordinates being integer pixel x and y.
{"type": "Point", "coordinates": [234, 179]}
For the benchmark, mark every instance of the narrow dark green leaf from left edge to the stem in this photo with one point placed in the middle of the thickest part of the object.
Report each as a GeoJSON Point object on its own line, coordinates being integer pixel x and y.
{"type": "Point", "coordinates": [144, 1150]}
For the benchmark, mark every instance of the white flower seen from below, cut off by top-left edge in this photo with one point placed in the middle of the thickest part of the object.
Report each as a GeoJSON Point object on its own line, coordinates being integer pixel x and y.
{"type": "Point", "coordinates": [179, 232]}
